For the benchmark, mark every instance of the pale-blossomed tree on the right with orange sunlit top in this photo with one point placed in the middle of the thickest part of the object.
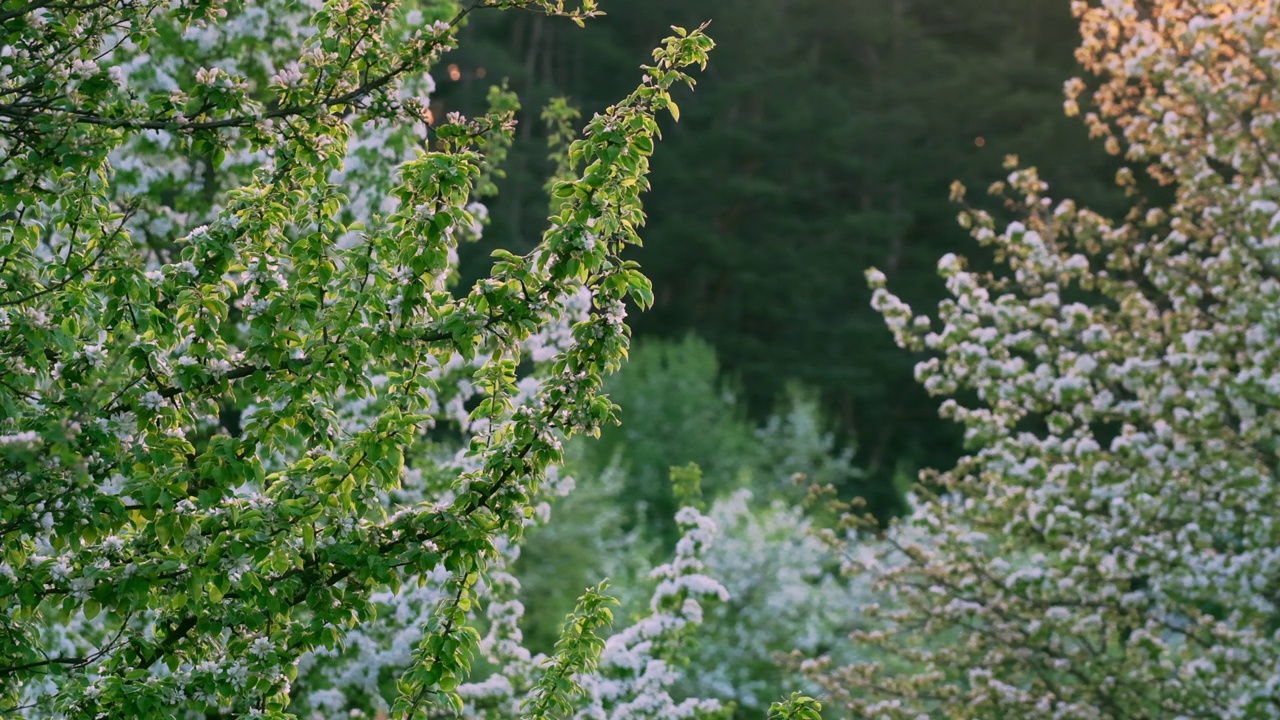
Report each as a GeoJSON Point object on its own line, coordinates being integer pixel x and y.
{"type": "Point", "coordinates": [1110, 545]}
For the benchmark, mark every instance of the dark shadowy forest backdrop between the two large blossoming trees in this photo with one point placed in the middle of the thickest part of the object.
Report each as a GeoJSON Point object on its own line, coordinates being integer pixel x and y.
{"type": "Point", "coordinates": [824, 143]}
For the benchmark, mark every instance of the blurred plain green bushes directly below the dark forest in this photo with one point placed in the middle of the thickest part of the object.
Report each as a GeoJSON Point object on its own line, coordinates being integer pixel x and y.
{"type": "Point", "coordinates": [679, 409]}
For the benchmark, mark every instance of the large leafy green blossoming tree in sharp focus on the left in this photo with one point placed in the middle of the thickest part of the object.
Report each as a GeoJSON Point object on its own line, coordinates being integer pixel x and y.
{"type": "Point", "coordinates": [228, 238]}
